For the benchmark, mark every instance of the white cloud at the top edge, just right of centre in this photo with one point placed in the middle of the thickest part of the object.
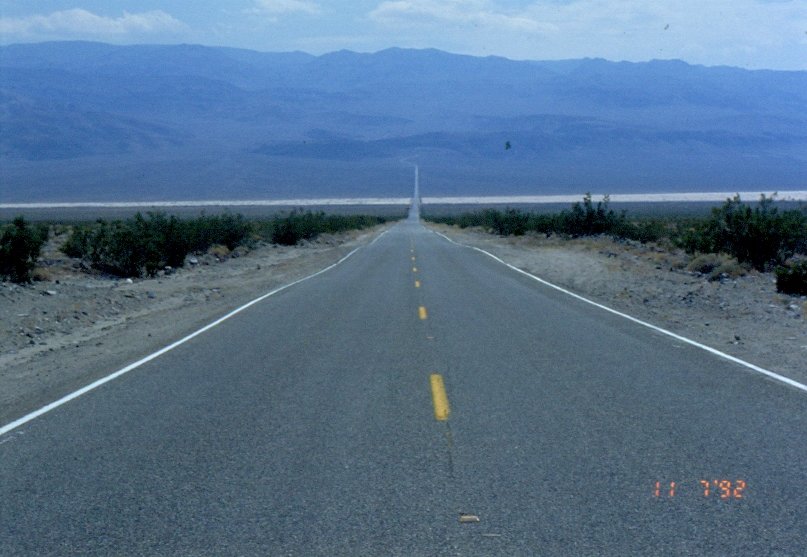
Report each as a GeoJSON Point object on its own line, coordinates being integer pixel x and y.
{"type": "Point", "coordinates": [459, 12]}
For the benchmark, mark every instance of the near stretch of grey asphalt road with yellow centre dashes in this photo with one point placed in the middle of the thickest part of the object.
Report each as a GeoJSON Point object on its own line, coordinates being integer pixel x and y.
{"type": "Point", "coordinates": [314, 423]}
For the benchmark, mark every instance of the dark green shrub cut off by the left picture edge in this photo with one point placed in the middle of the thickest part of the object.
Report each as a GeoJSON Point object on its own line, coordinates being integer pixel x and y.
{"type": "Point", "coordinates": [20, 244]}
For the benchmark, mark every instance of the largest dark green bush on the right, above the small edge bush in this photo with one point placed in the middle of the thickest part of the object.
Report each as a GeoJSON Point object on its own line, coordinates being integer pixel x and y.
{"type": "Point", "coordinates": [762, 237]}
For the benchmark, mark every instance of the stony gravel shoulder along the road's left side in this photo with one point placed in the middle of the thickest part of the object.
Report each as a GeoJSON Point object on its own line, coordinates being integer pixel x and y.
{"type": "Point", "coordinates": [62, 333]}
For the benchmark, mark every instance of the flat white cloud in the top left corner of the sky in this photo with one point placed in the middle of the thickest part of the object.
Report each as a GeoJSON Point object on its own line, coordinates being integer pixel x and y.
{"type": "Point", "coordinates": [82, 22]}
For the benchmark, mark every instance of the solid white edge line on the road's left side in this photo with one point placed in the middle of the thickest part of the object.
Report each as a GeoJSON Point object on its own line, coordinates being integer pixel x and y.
{"type": "Point", "coordinates": [67, 398]}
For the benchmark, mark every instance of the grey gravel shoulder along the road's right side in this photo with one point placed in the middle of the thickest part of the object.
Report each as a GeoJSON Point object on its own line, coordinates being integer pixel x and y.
{"type": "Point", "coordinates": [744, 317]}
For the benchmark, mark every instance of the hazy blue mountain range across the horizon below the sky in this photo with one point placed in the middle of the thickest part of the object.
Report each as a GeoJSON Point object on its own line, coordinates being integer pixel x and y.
{"type": "Point", "coordinates": [90, 121]}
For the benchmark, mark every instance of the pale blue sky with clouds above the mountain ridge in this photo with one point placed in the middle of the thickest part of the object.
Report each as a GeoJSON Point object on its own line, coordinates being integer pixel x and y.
{"type": "Point", "coordinates": [745, 33]}
